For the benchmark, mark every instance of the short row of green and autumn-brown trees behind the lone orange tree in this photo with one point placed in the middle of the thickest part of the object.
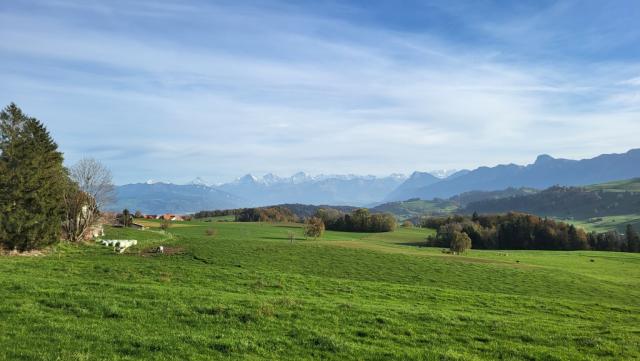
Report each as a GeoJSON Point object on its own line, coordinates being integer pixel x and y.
{"type": "Point", "coordinates": [360, 220]}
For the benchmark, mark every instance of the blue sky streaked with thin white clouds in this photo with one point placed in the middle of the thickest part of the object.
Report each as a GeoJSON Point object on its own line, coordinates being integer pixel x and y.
{"type": "Point", "coordinates": [173, 90]}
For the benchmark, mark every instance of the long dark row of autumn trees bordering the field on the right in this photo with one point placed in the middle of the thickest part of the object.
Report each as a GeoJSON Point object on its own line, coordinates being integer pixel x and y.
{"type": "Point", "coordinates": [525, 231]}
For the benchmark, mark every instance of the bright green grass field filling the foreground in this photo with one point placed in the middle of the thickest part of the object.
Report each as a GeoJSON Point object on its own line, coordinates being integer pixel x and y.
{"type": "Point", "coordinates": [247, 293]}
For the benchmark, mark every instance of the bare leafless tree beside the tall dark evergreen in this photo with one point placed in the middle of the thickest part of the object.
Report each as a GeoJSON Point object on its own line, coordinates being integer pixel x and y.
{"type": "Point", "coordinates": [91, 188]}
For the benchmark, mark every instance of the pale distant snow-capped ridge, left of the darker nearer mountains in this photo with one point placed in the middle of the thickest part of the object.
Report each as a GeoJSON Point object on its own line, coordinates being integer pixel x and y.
{"type": "Point", "coordinates": [251, 191]}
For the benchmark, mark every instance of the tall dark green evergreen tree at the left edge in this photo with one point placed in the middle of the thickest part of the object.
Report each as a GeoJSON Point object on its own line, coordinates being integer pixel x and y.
{"type": "Point", "coordinates": [32, 182]}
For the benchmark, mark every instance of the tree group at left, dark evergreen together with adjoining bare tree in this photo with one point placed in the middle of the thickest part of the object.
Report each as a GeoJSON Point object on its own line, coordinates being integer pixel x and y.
{"type": "Point", "coordinates": [40, 200]}
